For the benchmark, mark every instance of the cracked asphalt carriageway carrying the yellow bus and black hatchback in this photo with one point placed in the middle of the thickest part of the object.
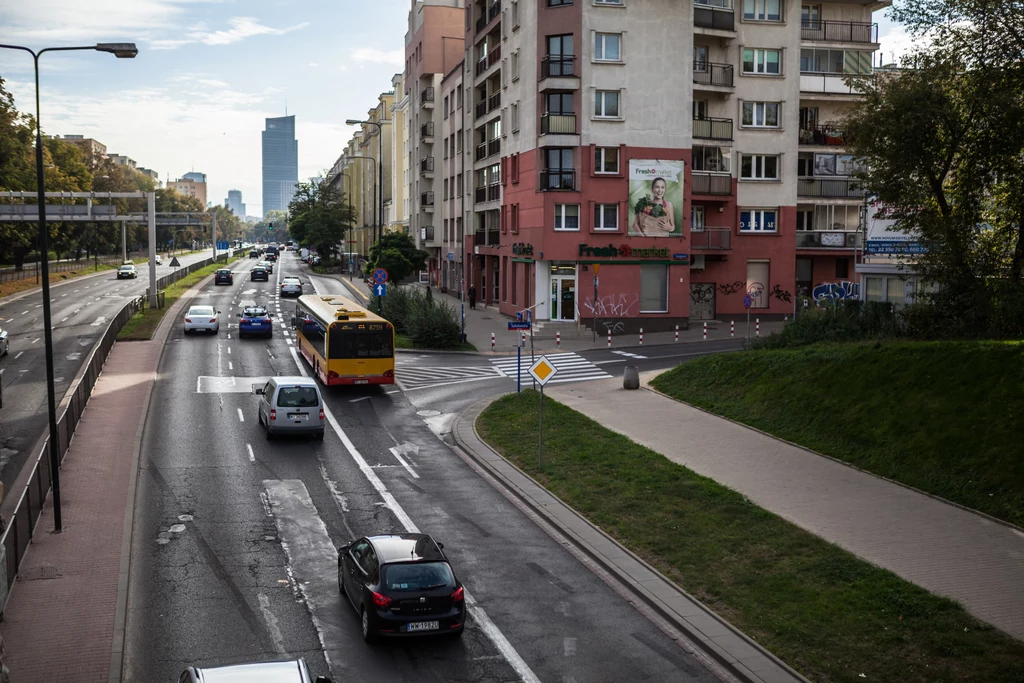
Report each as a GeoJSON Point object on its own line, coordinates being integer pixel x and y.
{"type": "Point", "coordinates": [234, 546]}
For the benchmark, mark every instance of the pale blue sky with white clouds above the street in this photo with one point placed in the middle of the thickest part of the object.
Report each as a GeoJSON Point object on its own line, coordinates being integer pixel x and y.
{"type": "Point", "coordinates": [209, 72]}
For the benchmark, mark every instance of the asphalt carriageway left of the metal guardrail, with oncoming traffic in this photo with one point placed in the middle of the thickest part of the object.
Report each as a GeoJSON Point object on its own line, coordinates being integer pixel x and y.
{"type": "Point", "coordinates": [79, 310]}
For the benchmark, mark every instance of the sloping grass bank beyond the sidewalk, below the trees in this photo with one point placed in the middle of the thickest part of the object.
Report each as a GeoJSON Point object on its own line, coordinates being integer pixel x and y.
{"type": "Point", "coordinates": [944, 417]}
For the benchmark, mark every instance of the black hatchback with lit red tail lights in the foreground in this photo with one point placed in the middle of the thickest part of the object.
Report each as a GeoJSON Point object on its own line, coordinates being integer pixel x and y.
{"type": "Point", "coordinates": [402, 585]}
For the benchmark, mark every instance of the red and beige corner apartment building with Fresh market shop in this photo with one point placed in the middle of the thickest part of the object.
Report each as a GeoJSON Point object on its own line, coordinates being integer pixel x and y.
{"type": "Point", "coordinates": [651, 163]}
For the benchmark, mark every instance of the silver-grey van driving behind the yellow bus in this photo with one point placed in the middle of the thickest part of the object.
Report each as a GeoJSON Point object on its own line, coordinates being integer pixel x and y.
{"type": "Point", "coordinates": [290, 406]}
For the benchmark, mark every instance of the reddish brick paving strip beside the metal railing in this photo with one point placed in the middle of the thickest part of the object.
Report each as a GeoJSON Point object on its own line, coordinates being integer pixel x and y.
{"type": "Point", "coordinates": [63, 629]}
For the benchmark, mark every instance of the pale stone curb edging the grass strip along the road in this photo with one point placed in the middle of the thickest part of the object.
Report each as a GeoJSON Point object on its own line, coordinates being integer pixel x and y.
{"type": "Point", "coordinates": [714, 637]}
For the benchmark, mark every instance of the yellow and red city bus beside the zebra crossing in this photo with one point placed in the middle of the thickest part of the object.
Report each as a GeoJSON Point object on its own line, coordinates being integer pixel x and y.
{"type": "Point", "coordinates": [344, 343]}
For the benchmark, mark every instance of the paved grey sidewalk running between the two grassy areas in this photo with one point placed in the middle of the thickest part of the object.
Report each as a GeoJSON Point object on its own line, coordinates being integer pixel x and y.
{"type": "Point", "coordinates": [941, 547]}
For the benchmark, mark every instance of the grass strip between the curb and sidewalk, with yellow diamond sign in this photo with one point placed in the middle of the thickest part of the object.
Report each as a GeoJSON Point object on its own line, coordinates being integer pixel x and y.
{"type": "Point", "coordinates": [828, 614]}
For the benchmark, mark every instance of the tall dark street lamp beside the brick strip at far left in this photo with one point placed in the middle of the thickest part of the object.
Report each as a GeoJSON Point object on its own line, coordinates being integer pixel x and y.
{"type": "Point", "coordinates": [122, 52]}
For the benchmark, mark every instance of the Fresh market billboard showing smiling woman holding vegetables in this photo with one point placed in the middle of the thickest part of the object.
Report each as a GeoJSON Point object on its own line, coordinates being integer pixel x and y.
{"type": "Point", "coordinates": [656, 199]}
